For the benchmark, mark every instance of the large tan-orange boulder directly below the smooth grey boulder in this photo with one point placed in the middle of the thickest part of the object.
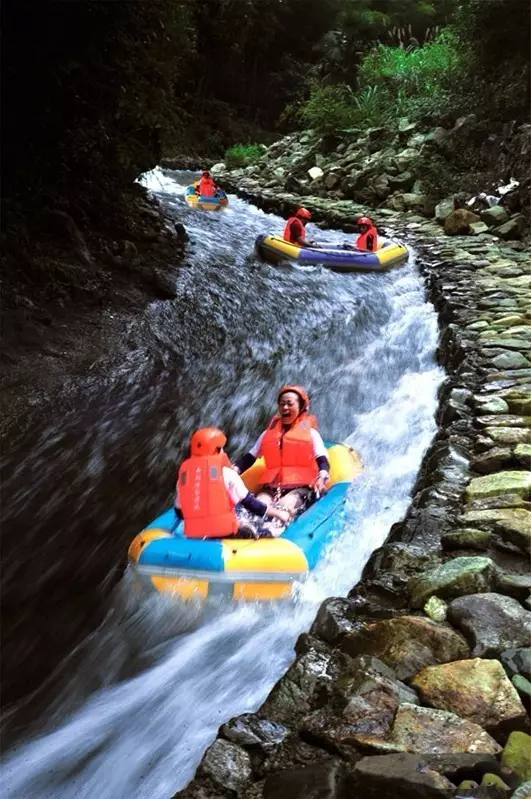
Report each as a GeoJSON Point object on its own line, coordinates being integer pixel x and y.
{"type": "Point", "coordinates": [477, 690]}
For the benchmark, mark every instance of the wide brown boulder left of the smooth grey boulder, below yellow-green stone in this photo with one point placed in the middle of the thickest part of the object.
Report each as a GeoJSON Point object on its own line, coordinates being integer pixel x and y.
{"type": "Point", "coordinates": [406, 643]}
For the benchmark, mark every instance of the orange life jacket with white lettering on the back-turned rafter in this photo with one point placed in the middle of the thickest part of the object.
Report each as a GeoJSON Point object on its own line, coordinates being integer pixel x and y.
{"type": "Point", "coordinates": [207, 509]}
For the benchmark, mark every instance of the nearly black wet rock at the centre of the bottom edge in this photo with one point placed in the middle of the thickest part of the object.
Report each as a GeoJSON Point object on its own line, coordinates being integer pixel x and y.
{"type": "Point", "coordinates": [322, 780]}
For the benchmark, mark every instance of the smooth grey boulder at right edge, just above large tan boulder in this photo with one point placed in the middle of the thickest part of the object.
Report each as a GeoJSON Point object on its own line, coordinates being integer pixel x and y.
{"type": "Point", "coordinates": [491, 622]}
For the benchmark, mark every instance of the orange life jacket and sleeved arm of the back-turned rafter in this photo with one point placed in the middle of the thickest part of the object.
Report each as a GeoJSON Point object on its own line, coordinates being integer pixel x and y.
{"type": "Point", "coordinates": [206, 495]}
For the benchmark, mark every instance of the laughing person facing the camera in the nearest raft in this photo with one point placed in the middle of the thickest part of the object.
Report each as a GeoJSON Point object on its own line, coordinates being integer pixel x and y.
{"type": "Point", "coordinates": [296, 460]}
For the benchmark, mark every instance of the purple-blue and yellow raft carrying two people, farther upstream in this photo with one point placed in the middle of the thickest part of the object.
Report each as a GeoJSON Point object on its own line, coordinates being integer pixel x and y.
{"type": "Point", "coordinates": [334, 256]}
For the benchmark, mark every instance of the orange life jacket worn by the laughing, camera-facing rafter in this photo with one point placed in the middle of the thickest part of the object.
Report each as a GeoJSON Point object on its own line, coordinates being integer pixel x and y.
{"type": "Point", "coordinates": [289, 454]}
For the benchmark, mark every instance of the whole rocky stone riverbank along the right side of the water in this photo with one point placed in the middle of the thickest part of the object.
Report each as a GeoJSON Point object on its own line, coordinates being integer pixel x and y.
{"type": "Point", "coordinates": [418, 683]}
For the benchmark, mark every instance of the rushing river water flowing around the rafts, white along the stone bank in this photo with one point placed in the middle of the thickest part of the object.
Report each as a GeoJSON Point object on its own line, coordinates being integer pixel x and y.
{"type": "Point", "coordinates": [143, 696]}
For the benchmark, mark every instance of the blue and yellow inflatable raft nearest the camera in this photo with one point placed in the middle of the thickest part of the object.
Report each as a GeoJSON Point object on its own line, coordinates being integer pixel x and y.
{"type": "Point", "coordinates": [161, 558]}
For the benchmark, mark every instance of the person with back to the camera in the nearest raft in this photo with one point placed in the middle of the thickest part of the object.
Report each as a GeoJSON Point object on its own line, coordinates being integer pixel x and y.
{"type": "Point", "coordinates": [208, 490]}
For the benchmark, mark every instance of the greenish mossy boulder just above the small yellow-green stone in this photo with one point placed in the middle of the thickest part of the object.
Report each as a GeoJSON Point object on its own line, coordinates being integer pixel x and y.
{"type": "Point", "coordinates": [465, 575]}
